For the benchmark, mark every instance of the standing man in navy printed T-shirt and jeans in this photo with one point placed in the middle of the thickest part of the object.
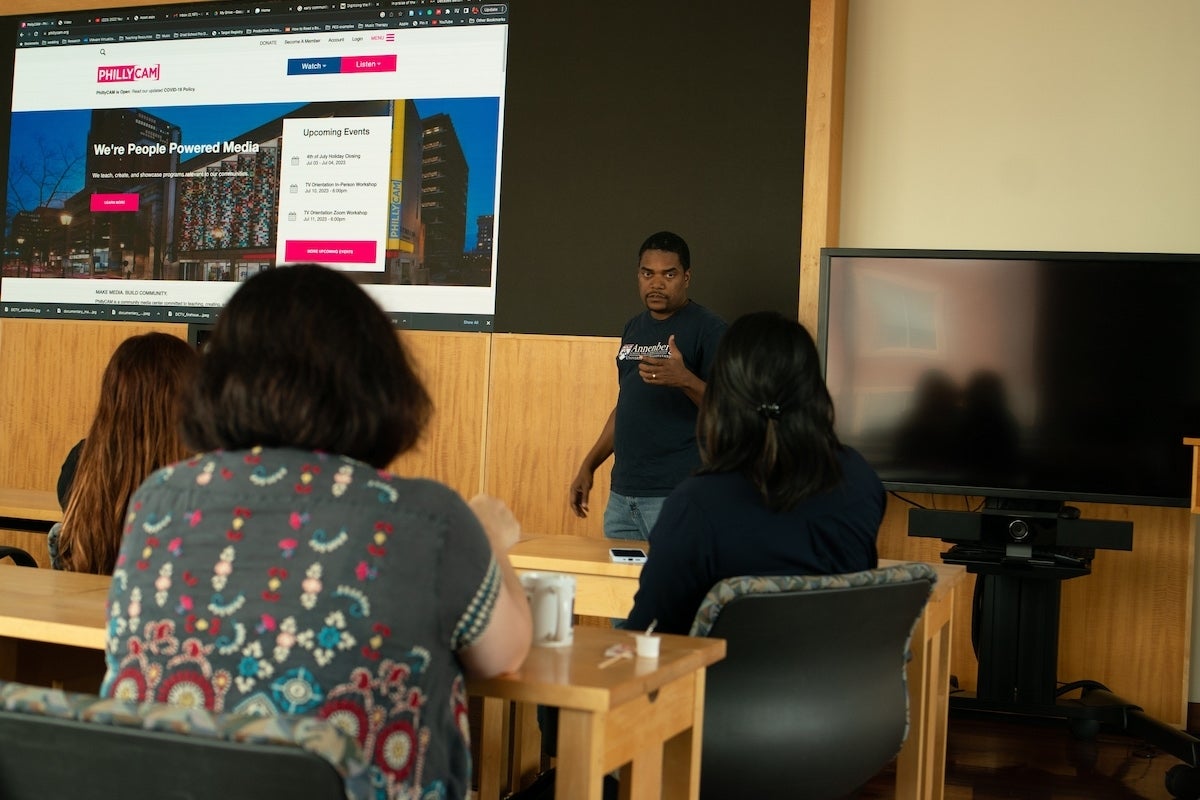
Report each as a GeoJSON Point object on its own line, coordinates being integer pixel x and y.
{"type": "Point", "coordinates": [662, 368]}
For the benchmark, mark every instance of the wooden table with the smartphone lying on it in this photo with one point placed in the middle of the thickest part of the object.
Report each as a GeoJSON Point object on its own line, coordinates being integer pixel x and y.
{"type": "Point", "coordinates": [607, 590]}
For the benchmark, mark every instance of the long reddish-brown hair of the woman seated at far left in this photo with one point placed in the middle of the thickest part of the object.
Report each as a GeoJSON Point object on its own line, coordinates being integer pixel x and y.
{"type": "Point", "coordinates": [135, 432]}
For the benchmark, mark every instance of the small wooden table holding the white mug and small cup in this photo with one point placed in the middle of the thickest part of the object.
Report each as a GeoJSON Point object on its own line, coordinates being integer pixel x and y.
{"type": "Point", "coordinates": [645, 717]}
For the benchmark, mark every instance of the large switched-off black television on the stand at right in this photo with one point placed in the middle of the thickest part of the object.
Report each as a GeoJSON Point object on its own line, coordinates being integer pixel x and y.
{"type": "Point", "coordinates": [1041, 376]}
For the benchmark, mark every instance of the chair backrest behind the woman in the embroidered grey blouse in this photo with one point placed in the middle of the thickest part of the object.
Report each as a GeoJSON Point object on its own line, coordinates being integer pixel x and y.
{"type": "Point", "coordinates": [56, 744]}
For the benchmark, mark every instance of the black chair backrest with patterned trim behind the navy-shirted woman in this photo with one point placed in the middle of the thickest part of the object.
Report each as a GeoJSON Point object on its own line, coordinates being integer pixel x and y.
{"type": "Point", "coordinates": [811, 701]}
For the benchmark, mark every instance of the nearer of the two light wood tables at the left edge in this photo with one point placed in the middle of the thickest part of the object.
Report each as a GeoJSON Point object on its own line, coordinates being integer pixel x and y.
{"type": "Point", "coordinates": [52, 628]}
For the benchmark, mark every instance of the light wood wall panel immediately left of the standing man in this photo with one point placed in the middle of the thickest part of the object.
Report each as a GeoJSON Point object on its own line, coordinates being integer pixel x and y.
{"type": "Point", "coordinates": [550, 399]}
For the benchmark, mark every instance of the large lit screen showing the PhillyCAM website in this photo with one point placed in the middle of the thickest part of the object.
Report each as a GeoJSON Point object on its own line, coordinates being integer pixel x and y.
{"type": "Point", "coordinates": [157, 157]}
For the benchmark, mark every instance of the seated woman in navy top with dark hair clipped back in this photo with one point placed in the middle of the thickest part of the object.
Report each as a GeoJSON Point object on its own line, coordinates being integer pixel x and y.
{"type": "Point", "coordinates": [777, 492]}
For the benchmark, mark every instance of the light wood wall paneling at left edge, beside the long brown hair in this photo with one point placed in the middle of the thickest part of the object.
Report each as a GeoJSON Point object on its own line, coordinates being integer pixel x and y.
{"type": "Point", "coordinates": [50, 383]}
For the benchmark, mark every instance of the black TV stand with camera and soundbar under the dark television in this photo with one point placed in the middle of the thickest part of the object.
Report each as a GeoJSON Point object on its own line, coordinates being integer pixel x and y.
{"type": "Point", "coordinates": [1016, 625]}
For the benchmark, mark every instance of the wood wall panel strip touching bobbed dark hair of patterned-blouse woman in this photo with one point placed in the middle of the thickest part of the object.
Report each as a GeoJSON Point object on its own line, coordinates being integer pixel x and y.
{"type": "Point", "coordinates": [455, 371]}
